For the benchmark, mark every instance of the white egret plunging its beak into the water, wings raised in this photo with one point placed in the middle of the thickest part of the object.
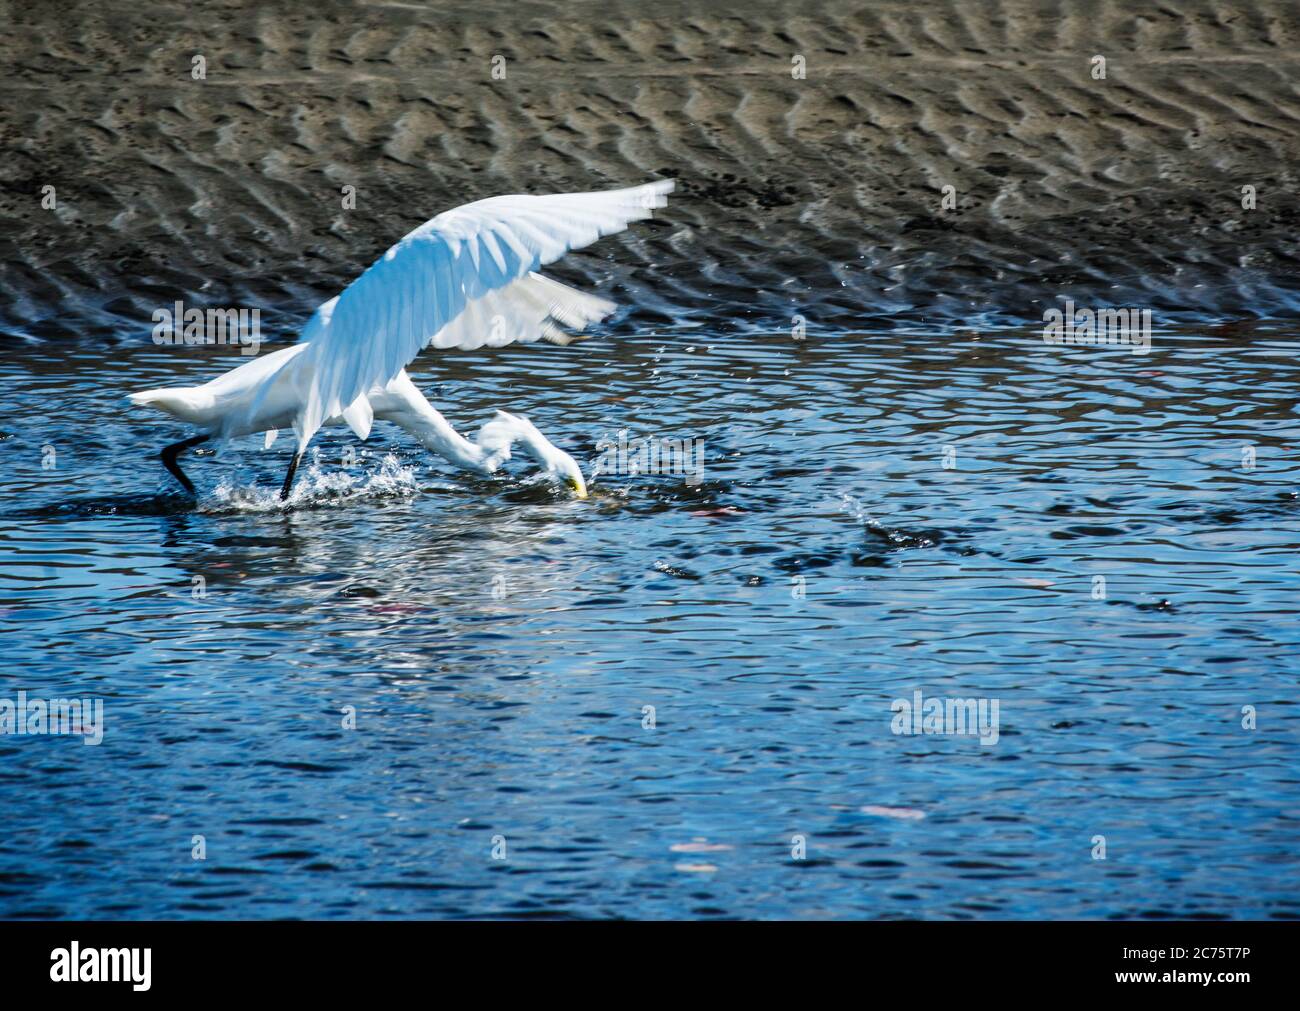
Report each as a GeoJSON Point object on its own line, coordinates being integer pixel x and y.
{"type": "Point", "coordinates": [465, 280]}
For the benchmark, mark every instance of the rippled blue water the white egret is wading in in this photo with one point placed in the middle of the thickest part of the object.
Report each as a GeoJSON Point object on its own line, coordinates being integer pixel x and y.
{"type": "Point", "coordinates": [829, 565]}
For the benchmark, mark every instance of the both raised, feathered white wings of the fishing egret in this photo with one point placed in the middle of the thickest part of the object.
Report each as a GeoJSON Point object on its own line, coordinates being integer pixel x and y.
{"type": "Point", "coordinates": [463, 280]}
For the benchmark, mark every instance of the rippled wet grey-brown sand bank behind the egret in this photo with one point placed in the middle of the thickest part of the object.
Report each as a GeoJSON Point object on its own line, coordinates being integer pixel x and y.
{"type": "Point", "coordinates": [818, 196]}
